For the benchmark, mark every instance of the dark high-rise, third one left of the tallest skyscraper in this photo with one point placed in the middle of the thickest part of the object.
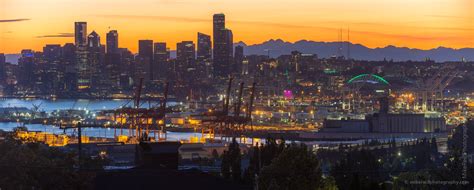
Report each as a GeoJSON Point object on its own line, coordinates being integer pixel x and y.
{"type": "Point", "coordinates": [162, 55]}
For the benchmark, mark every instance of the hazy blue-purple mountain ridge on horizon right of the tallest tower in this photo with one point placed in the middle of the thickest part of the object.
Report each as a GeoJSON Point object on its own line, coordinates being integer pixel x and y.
{"type": "Point", "coordinates": [357, 51]}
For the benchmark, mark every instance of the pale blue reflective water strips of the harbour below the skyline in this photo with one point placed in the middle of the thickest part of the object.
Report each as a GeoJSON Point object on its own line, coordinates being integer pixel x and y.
{"type": "Point", "coordinates": [97, 105]}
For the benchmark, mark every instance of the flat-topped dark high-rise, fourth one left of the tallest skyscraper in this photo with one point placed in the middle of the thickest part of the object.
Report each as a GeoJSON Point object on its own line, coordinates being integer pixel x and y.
{"type": "Point", "coordinates": [145, 53]}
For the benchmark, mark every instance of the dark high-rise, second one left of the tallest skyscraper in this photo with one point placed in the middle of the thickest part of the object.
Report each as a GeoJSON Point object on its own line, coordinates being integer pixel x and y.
{"type": "Point", "coordinates": [186, 53]}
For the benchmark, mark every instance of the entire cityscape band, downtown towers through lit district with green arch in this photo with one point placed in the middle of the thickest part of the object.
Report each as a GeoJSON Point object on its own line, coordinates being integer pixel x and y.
{"type": "Point", "coordinates": [296, 87]}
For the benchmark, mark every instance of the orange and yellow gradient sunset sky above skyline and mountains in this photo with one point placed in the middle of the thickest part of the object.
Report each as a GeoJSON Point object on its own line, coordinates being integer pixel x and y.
{"type": "Point", "coordinates": [424, 24]}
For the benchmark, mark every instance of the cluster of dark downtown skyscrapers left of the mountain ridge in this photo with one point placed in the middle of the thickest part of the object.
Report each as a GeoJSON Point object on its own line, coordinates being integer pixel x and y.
{"type": "Point", "coordinates": [89, 68]}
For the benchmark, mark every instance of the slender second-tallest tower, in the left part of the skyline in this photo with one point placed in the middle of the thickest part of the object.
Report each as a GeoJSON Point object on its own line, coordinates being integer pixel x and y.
{"type": "Point", "coordinates": [82, 65]}
